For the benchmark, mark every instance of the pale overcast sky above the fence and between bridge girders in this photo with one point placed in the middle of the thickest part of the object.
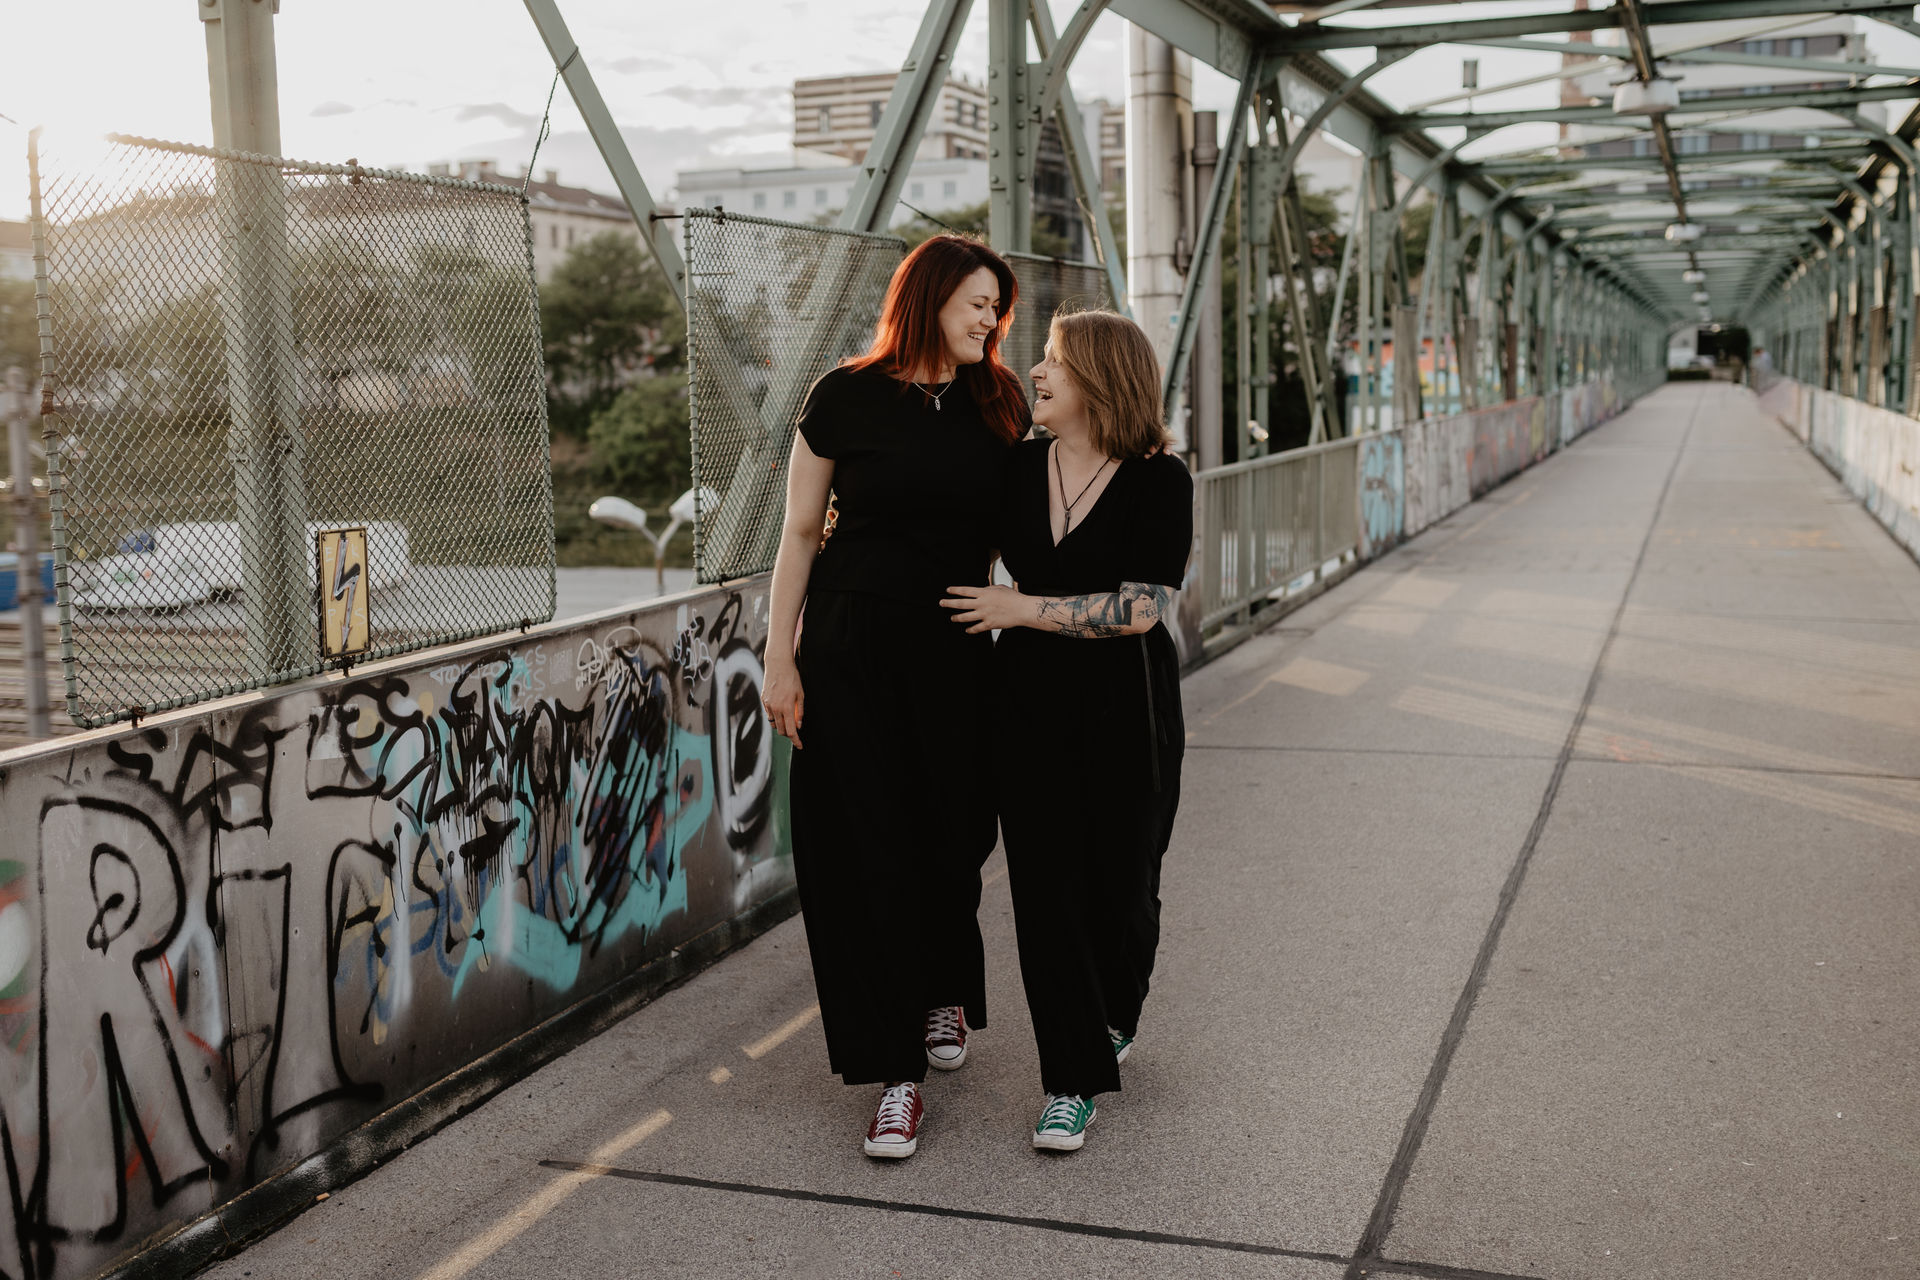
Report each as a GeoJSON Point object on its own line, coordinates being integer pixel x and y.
{"type": "Point", "coordinates": [406, 83]}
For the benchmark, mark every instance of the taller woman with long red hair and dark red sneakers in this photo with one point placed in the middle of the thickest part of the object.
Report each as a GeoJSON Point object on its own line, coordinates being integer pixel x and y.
{"type": "Point", "coordinates": [882, 694]}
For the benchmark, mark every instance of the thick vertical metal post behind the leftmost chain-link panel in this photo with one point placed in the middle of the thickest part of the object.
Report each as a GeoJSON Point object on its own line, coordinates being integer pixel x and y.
{"type": "Point", "coordinates": [264, 435]}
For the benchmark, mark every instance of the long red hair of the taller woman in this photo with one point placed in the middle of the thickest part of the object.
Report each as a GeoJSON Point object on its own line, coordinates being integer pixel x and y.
{"type": "Point", "coordinates": [909, 333]}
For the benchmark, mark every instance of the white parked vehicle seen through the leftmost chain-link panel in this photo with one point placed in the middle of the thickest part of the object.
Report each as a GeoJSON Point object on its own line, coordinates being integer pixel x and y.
{"type": "Point", "coordinates": [172, 567]}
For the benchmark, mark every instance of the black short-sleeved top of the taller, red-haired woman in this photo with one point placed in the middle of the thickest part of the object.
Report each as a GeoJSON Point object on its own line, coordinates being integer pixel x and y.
{"type": "Point", "coordinates": [917, 486]}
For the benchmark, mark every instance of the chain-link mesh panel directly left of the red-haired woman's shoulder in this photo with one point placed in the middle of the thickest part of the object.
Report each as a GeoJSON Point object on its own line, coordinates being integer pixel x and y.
{"type": "Point", "coordinates": [771, 308]}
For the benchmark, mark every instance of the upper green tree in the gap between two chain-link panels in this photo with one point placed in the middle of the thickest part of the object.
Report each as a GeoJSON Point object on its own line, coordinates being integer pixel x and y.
{"type": "Point", "coordinates": [608, 318]}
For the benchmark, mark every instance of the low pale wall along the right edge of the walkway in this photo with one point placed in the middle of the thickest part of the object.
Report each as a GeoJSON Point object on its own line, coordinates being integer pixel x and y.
{"type": "Point", "coordinates": [1875, 452]}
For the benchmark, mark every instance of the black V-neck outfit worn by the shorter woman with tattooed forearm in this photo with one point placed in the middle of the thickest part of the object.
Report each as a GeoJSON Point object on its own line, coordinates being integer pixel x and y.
{"type": "Point", "coordinates": [1097, 728]}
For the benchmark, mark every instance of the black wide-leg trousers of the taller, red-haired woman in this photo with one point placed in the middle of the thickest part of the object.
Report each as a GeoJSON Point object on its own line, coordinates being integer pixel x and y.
{"type": "Point", "coordinates": [892, 822]}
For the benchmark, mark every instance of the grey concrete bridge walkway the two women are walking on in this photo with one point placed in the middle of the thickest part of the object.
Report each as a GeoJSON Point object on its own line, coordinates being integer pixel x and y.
{"type": "Point", "coordinates": [1543, 905]}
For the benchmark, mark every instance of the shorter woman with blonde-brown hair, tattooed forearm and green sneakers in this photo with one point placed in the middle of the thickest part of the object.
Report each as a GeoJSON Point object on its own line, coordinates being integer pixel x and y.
{"type": "Point", "coordinates": [1095, 529]}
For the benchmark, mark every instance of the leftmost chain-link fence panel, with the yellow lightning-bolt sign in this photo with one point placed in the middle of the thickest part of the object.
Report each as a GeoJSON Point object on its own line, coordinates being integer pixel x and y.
{"type": "Point", "coordinates": [254, 352]}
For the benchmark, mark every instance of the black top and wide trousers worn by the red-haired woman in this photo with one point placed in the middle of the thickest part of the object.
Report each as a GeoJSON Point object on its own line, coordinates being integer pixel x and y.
{"type": "Point", "coordinates": [890, 794]}
